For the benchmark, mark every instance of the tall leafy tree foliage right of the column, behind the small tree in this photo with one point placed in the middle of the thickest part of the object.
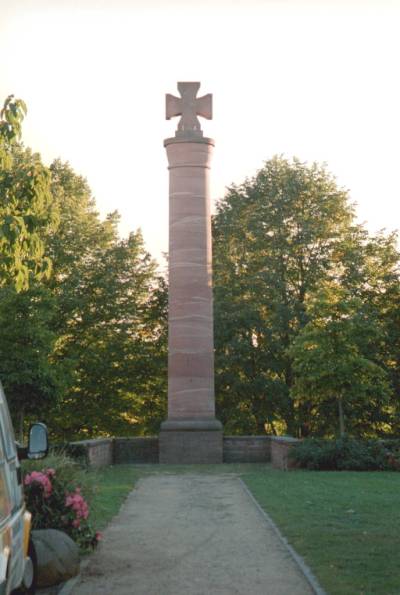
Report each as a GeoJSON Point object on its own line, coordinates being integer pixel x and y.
{"type": "Point", "coordinates": [279, 239]}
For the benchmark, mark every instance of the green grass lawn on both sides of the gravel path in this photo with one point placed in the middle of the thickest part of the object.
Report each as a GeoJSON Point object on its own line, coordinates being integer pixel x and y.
{"type": "Point", "coordinates": [345, 525]}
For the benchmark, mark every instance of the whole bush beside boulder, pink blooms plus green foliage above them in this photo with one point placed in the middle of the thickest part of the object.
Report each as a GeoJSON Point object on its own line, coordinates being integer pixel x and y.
{"type": "Point", "coordinates": [57, 496]}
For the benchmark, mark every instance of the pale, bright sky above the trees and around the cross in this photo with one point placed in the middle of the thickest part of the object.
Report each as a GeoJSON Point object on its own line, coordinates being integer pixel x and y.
{"type": "Point", "coordinates": [316, 79]}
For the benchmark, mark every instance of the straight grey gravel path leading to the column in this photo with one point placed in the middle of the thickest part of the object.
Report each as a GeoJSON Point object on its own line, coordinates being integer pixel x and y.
{"type": "Point", "coordinates": [191, 535]}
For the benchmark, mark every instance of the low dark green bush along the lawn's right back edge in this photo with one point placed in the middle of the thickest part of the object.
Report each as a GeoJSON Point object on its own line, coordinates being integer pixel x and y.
{"type": "Point", "coordinates": [347, 454]}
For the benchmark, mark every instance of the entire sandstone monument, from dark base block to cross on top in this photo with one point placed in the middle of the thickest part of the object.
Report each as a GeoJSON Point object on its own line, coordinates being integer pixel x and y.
{"type": "Point", "coordinates": [191, 434]}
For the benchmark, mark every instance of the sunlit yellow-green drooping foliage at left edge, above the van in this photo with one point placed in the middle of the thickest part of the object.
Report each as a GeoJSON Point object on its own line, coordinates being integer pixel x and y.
{"type": "Point", "coordinates": [27, 210]}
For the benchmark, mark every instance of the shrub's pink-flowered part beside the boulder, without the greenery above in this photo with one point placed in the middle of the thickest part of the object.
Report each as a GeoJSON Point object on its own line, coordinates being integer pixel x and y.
{"type": "Point", "coordinates": [56, 504]}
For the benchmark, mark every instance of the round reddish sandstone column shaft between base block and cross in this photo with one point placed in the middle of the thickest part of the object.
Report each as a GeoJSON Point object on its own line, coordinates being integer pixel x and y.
{"type": "Point", "coordinates": [191, 348]}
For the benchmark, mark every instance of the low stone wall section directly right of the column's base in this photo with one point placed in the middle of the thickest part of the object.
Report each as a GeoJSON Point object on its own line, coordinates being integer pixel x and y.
{"type": "Point", "coordinates": [247, 449]}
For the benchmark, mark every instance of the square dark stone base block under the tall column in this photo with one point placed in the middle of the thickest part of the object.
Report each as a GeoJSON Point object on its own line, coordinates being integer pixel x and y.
{"type": "Point", "coordinates": [185, 443]}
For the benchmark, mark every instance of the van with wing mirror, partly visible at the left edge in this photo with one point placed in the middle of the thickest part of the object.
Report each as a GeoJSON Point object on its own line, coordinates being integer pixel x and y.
{"type": "Point", "coordinates": [17, 557]}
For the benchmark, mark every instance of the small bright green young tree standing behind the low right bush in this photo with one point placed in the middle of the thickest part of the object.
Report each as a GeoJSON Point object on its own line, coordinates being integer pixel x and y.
{"type": "Point", "coordinates": [332, 364]}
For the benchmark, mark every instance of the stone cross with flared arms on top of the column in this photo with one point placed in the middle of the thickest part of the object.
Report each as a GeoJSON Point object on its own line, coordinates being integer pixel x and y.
{"type": "Point", "coordinates": [189, 107]}
